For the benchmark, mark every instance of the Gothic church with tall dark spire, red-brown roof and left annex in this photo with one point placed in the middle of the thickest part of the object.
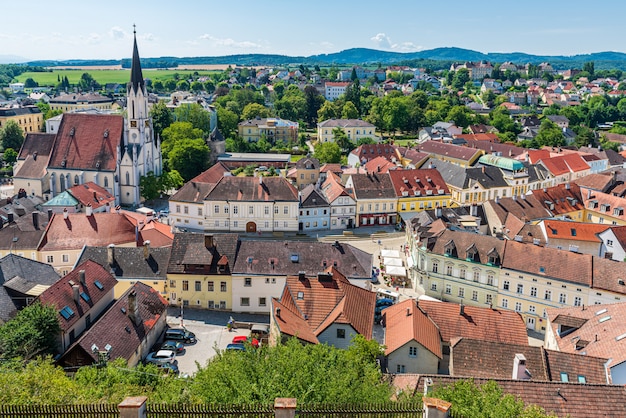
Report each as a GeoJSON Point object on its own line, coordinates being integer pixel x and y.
{"type": "Point", "coordinates": [113, 151]}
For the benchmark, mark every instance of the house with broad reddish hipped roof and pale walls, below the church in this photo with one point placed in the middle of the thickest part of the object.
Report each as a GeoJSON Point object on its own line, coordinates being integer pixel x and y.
{"type": "Point", "coordinates": [67, 234]}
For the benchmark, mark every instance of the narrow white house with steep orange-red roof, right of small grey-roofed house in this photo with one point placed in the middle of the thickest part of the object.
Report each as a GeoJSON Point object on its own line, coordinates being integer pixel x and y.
{"type": "Point", "coordinates": [342, 203]}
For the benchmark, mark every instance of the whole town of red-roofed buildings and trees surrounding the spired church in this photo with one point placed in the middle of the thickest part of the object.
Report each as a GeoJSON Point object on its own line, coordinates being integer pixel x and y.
{"type": "Point", "coordinates": [461, 220]}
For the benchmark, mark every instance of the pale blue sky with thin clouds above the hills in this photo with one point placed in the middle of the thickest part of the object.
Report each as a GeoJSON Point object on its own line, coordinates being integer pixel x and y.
{"type": "Point", "coordinates": [71, 29]}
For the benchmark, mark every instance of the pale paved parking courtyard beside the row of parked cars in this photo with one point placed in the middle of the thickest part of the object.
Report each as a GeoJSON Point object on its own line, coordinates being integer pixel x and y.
{"type": "Point", "coordinates": [211, 334]}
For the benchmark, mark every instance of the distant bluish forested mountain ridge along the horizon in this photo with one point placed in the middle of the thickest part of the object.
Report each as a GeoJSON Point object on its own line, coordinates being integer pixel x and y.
{"type": "Point", "coordinates": [607, 59]}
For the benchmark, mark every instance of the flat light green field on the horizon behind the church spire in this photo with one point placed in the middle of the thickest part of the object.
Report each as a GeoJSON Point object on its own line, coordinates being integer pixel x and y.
{"type": "Point", "coordinates": [103, 76]}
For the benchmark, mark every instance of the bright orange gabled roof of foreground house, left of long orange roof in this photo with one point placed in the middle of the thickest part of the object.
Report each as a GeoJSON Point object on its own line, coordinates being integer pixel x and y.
{"type": "Point", "coordinates": [406, 322]}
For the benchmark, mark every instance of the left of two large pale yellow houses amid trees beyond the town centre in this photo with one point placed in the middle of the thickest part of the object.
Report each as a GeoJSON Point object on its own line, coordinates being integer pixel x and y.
{"type": "Point", "coordinates": [274, 130]}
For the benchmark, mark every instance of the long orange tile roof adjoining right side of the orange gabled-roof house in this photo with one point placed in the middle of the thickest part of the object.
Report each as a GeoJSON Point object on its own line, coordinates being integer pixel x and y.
{"type": "Point", "coordinates": [476, 322]}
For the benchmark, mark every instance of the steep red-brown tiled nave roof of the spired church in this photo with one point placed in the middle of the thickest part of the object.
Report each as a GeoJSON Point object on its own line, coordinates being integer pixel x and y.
{"type": "Point", "coordinates": [88, 142]}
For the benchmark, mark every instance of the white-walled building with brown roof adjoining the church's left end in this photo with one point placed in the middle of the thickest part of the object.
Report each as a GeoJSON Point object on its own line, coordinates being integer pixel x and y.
{"type": "Point", "coordinates": [30, 170]}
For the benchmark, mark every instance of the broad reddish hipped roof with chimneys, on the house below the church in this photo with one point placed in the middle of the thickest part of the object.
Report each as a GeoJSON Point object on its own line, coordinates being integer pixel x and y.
{"type": "Point", "coordinates": [99, 229]}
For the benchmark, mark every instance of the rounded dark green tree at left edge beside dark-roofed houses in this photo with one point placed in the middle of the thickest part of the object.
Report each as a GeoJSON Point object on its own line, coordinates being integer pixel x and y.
{"type": "Point", "coordinates": [33, 332]}
